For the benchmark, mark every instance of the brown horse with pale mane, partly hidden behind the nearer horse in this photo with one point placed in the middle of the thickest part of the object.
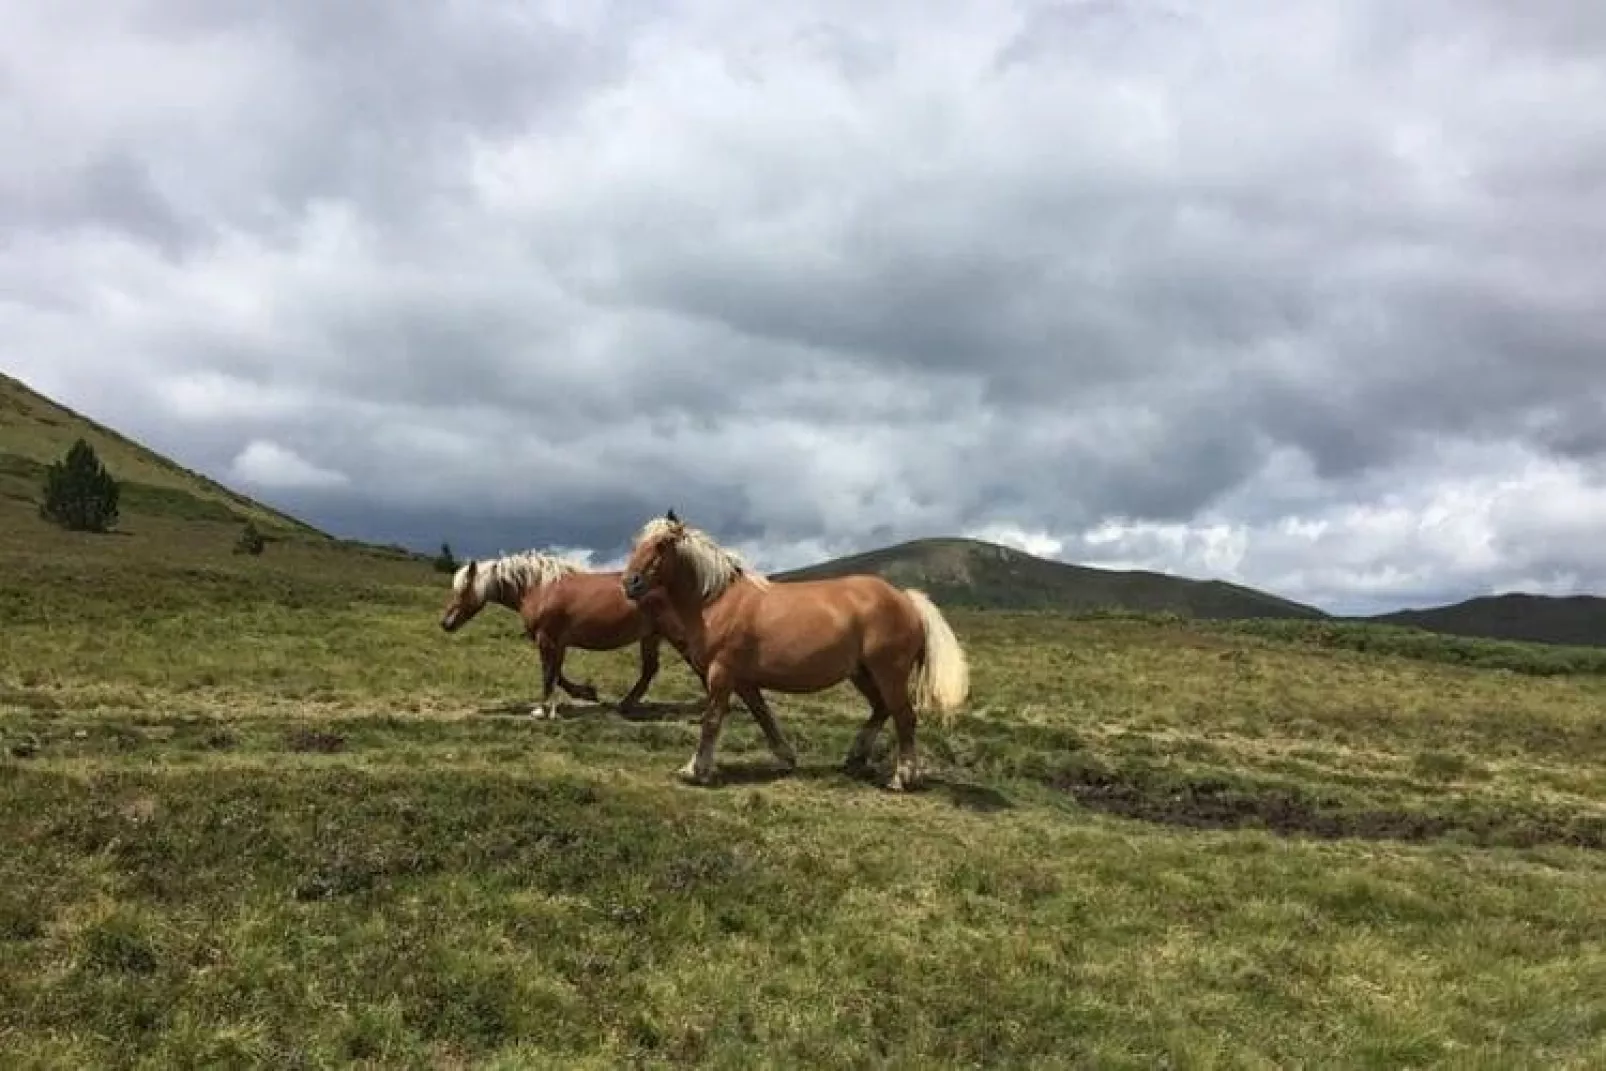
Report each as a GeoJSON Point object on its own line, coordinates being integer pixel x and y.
{"type": "Point", "coordinates": [563, 606]}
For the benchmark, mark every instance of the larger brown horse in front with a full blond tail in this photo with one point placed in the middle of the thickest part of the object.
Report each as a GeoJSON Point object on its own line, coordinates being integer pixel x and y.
{"type": "Point", "coordinates": [744, 633]}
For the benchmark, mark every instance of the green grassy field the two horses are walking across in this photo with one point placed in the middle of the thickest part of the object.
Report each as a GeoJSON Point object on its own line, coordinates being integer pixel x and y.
{"type": "Point", "coordinates": [263, 812]}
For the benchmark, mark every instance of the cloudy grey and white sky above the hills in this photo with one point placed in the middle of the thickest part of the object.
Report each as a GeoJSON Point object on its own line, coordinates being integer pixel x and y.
{"type": "Point", "coordinates": [1300, 295]}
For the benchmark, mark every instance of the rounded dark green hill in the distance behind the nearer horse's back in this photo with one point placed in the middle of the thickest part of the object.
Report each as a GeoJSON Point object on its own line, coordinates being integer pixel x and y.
{"type": "Point", "coordinates": [977, 574]}
